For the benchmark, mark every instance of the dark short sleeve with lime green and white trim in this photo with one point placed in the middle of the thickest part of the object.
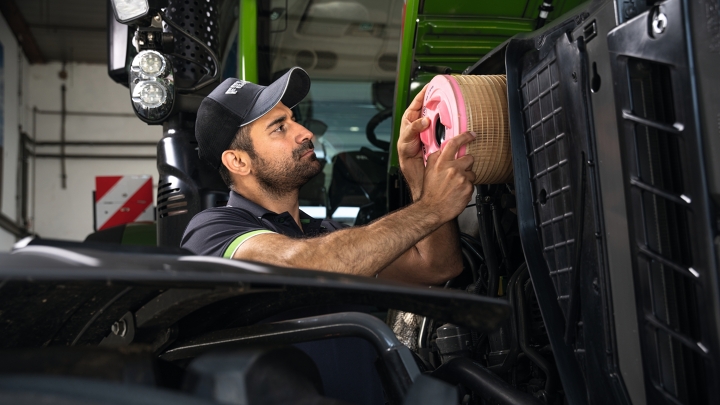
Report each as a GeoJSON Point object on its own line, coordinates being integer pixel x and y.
{"type": "Point", "coordinates": [211, 232]}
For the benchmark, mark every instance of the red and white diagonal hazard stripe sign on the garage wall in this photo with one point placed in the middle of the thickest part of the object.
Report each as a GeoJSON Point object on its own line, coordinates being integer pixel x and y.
{"type": "Point", "coordinates": [122, 199]}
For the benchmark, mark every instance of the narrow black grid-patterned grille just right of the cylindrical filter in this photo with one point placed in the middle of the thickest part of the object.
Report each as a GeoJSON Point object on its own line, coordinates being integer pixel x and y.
{"type": "Point", "coordinates": [548, 150]}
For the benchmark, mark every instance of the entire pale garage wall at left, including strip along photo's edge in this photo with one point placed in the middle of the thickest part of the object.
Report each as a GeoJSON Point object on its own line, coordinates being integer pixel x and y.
{"type": "Point", "coordinates": [31, 105]}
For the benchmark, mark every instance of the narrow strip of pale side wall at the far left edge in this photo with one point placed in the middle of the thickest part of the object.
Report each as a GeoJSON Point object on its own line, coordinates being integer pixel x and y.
{"type": "Point", "coordinates": [14, 94]}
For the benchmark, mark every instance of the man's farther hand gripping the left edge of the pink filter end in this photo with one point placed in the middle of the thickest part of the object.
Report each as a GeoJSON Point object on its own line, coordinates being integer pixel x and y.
{"type": "Point", "coordinates": [409, 144]}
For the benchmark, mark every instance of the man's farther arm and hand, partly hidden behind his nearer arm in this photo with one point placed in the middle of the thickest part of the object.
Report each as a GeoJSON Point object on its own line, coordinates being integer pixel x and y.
{"type": "Point", "coordinates": [438, 256]}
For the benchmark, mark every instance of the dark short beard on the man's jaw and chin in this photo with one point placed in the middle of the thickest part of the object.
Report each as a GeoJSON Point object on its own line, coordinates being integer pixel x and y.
{"type": "Point", "coordinates": [280, 177]}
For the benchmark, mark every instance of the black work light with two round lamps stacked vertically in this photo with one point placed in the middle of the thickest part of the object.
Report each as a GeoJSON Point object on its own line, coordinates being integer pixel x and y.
{"type": "Point", "coordinates": [152, 86]}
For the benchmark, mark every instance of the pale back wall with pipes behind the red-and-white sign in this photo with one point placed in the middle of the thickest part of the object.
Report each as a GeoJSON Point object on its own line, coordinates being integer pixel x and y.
{"type": "Point", "coordinates": [67, 213]}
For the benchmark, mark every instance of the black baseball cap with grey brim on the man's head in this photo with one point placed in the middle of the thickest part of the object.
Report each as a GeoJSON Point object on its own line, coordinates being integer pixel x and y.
{"type": "Point", "coordinates": [235, 103]}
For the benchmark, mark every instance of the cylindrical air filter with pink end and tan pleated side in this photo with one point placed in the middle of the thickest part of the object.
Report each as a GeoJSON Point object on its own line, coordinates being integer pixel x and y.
{"type": "Point", "coordinates": [456, 104]}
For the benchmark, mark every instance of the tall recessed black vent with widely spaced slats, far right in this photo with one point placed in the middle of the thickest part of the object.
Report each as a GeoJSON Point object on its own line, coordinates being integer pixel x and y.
{"type": "Point", "coordinates": [655, 160]}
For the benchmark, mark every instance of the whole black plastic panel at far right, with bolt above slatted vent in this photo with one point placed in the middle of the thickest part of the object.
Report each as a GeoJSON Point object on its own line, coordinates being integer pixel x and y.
{"type": "Point", "coordinates": [669, 217]}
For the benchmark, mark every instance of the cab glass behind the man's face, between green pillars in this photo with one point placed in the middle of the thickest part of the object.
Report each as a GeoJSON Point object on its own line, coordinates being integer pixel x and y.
{"type": "Point", "coordinates": [349, 49]}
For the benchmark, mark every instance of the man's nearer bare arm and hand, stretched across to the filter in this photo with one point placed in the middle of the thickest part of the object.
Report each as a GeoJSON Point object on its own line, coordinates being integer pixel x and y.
{"type": "Point", "coordinates": [367, 249]}
